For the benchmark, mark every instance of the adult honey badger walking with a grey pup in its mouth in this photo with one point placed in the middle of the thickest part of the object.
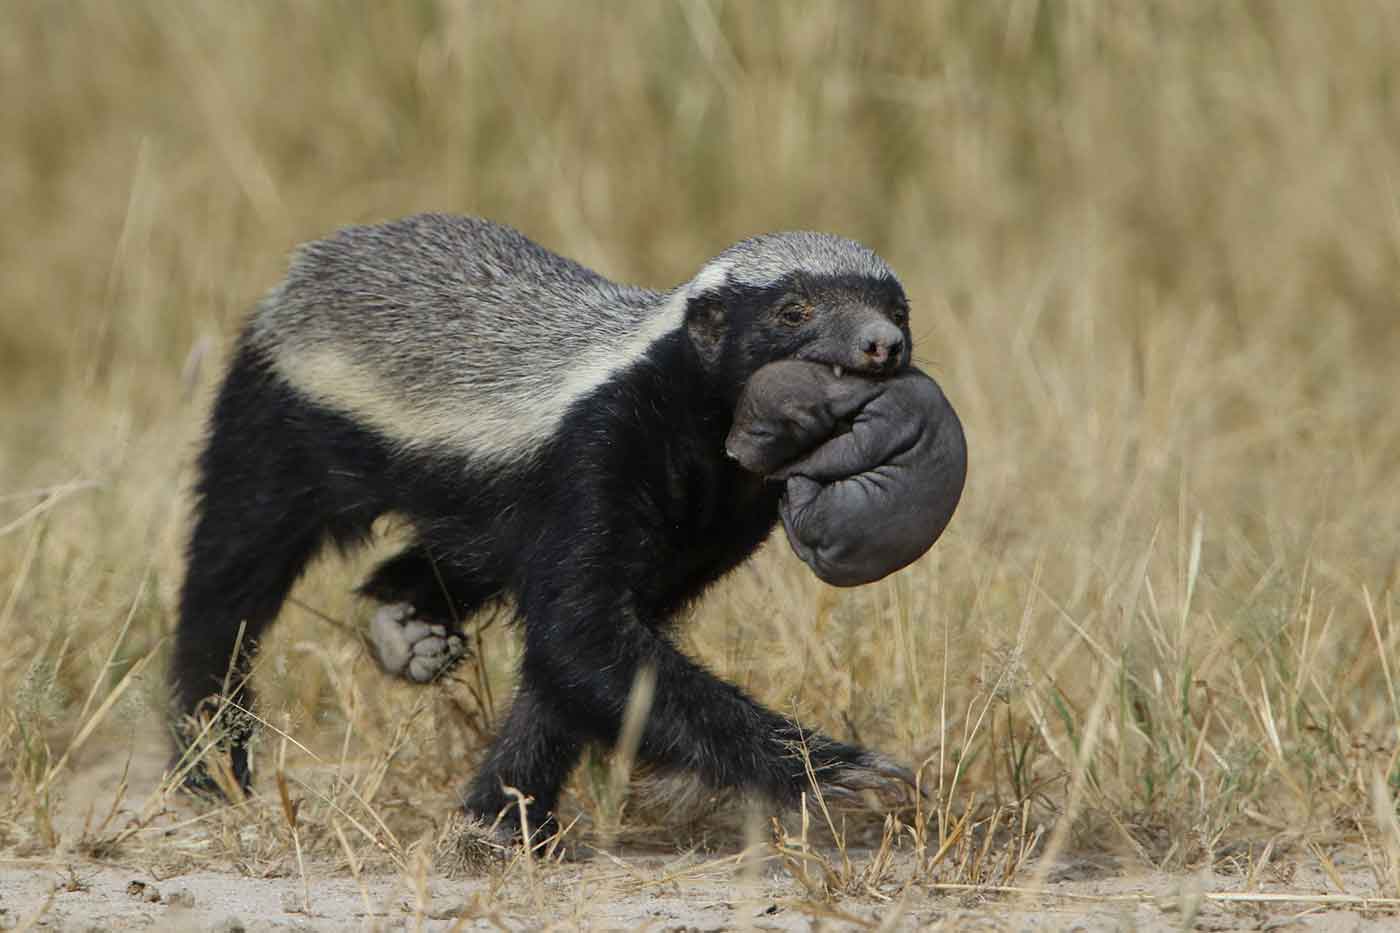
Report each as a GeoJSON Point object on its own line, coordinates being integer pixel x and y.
{"type": "Point", "coordinates": [554, 439]}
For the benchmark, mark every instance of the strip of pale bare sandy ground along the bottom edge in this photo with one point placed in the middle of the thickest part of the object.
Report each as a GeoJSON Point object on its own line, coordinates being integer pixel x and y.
{"type": "Point", "coordinates": [626, 896]}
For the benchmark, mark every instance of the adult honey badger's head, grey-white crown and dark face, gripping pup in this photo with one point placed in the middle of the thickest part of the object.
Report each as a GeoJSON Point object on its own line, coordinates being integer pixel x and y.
{"type": "Point", "coordinates": [804, 296]}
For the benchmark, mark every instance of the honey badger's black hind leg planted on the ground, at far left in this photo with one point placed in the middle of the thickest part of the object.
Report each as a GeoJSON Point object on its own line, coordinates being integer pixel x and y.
{"type": "Point", "coordinates": [264, 509]}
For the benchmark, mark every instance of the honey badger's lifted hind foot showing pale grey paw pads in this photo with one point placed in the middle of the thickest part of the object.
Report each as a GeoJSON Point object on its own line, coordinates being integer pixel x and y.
{"type": "Point", "coordinates": [416, 634]}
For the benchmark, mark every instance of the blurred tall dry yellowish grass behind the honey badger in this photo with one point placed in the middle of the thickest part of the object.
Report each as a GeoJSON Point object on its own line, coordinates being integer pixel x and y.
{"type": "Point", "coordinates": [1154, 253]}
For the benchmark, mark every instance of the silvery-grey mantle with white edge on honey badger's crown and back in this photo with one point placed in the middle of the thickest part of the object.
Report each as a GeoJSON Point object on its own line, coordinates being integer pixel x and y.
{"type": "Point", "coordinates": [456, 333]}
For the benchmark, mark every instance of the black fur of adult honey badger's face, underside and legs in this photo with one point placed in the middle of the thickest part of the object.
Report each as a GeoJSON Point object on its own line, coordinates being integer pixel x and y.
{"type": "Point", "coordinates": [626, 516]}
